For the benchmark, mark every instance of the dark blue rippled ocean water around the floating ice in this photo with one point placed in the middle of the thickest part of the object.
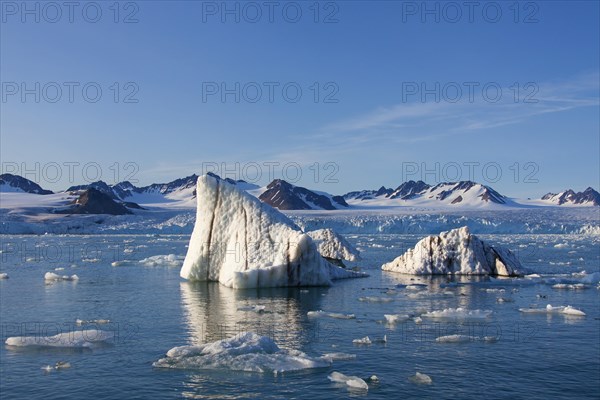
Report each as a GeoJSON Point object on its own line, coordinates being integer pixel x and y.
{"type": "Point", "coordinates": [151, 310]}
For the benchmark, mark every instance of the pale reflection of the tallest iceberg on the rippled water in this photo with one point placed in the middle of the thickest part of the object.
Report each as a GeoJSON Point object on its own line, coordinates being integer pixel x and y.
{"type": "Point", "coordinates": [215, 312]}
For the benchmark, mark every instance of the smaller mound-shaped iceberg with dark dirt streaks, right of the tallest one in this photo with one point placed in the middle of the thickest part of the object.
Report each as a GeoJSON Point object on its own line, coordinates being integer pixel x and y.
{"type": "Point", "coordinates": [456, 252]}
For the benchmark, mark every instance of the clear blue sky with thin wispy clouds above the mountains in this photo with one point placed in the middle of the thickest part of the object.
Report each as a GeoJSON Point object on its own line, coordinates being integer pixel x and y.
{"type": "Point", "coordinates": [400, 94]}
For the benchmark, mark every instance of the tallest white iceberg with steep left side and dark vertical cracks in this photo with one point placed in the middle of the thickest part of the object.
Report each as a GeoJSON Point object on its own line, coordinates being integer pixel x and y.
{"type": "Point", "coordinates": [243, 243]}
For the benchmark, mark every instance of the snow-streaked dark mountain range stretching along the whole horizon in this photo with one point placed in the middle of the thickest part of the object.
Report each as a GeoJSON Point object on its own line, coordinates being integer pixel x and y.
{"type": "Point", "coordinates": [286, 196]}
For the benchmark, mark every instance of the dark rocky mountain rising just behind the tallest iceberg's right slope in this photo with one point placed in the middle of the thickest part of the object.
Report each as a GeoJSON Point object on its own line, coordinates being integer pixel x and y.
{"type": "Point", "coordinates": [285, 196]}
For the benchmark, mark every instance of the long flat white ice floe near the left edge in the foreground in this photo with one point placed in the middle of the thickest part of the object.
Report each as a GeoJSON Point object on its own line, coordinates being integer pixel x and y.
{"type": "Point", "coordinates": [85, 338]}
